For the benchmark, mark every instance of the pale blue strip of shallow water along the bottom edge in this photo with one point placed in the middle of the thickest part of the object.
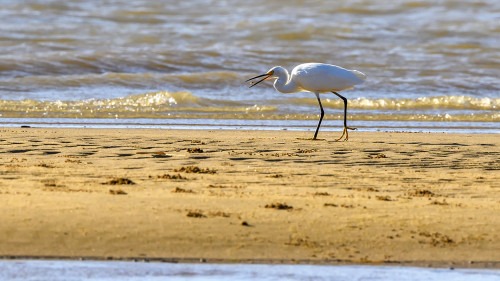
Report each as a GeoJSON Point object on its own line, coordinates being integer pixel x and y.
{"type": "Point", "coordinates": [94, 270]}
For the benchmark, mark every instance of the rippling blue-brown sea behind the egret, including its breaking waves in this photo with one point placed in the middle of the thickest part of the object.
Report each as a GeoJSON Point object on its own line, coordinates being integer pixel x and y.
{"type": "Point", "coordinates": [430, 65]}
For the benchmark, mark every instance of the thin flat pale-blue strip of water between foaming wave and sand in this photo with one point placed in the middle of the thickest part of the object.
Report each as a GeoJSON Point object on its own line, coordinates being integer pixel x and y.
{"type": "Point", "coordinates": [295, 125]}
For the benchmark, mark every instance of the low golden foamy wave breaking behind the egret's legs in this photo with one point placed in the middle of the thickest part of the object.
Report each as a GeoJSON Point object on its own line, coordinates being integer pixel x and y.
{"type": "Point", "coordinates": [186, 105]}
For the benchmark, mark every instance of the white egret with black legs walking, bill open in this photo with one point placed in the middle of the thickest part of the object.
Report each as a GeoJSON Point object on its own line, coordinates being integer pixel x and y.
{"type": "Point", "coordinates": [317, 78]}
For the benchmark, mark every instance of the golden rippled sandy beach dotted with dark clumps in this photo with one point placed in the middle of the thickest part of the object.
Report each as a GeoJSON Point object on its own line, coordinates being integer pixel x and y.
{"type": "Point", "coordinates": [270, 196]}
